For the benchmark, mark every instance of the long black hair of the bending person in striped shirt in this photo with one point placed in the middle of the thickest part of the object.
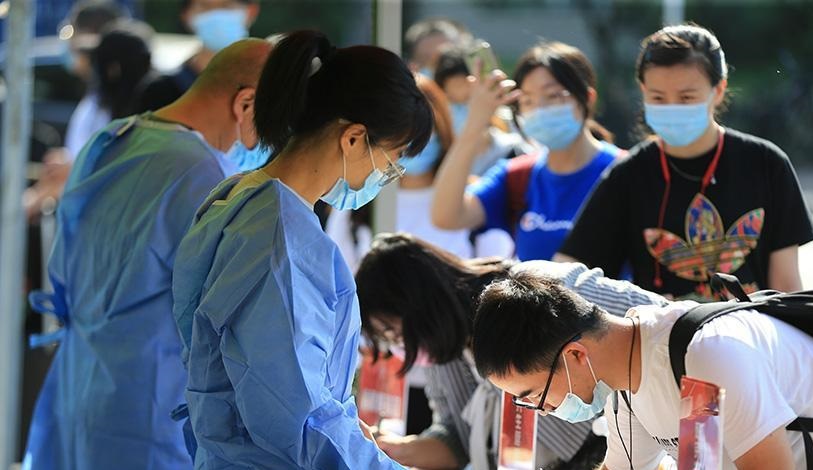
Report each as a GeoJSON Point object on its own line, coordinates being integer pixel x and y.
{"type": "Point", "coordinates": [431, 291]}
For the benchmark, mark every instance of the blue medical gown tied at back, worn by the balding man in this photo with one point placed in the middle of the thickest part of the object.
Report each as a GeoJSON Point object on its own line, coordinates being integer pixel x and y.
{"type": "Point", "coordinates": [117, 373]}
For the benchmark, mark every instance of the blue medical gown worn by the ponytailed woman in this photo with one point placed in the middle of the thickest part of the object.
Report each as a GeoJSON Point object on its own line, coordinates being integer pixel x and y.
{"type": "Point", "coordinates": [268, 312]}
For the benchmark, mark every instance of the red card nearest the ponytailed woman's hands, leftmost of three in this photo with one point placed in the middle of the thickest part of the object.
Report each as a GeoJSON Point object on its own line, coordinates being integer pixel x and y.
{"type": "Point", "coordinates": [381, 390]}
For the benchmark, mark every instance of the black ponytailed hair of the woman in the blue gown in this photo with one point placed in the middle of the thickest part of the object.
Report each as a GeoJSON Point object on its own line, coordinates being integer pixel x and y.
{"type": "Point", "coordinates": [308, 84]}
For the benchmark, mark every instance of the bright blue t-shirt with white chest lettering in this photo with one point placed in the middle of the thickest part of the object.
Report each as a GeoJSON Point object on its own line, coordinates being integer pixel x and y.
{"type": "Point", "coordinates": [552, 202]}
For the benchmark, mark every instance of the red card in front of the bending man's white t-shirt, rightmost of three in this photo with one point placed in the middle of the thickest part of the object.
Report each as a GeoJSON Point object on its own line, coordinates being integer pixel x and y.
{"type": "Point", "coordinates": [701, 425]}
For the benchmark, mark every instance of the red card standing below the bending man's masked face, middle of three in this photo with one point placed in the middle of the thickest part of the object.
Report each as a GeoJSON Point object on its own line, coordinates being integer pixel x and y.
{"type": "Point", "coordinates": [517, 437]}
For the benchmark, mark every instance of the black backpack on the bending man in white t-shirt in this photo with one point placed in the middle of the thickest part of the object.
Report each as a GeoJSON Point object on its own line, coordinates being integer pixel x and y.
{"type": "Point", "coordinates": [794, 308]}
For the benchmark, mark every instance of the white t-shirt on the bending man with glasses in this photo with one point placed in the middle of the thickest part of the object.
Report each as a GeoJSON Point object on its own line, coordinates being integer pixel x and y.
{"type": "Point", "coordinates": [764, 365]}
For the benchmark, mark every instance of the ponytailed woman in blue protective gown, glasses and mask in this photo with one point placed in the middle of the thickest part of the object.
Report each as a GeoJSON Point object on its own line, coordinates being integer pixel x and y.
{"type": "Point", "coordinates": [266, 307]}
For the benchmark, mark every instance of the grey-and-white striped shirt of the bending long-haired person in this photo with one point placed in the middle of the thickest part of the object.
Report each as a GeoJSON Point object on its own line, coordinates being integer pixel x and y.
{"type": "Point", "coordinates": [451, 386]}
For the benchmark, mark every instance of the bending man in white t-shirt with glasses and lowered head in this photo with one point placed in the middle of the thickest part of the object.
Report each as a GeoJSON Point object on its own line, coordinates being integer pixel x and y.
{"type": "Point", "coordinates": [560, 354]}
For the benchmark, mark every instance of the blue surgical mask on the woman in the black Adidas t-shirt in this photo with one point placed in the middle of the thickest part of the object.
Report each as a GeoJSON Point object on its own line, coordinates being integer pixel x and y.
{"type": "Point", "coordinates": [678, 124]}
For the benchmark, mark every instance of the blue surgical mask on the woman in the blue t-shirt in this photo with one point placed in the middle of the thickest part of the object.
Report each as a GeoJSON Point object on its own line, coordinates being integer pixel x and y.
{"type": "Point", "coordinates": [555, 127]}
